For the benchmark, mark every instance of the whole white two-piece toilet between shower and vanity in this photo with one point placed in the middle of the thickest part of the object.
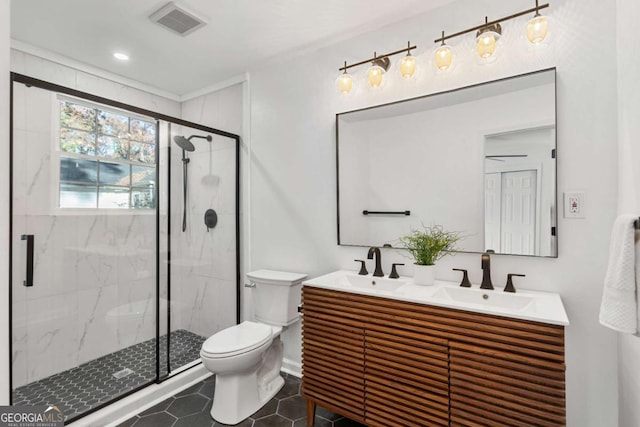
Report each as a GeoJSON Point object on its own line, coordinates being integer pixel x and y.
{"type": "Point", "coordinates": [247, 358]}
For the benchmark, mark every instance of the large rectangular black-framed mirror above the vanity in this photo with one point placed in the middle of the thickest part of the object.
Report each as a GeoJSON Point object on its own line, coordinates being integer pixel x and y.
{"type": "Point", "coordinates": [479, 160]}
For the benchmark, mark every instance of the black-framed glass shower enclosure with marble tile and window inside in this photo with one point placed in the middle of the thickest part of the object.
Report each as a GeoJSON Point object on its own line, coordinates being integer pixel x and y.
{"type": "Point", "coordinates": [116, 279]}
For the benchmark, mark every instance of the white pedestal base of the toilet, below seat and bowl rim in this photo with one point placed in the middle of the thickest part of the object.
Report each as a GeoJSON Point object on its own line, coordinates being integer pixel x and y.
{"type": "Point", "coordinates": [239, 395]}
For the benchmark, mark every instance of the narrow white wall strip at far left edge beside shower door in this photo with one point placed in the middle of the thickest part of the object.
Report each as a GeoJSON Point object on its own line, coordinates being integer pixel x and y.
{"type": "Point", "coordinates": [4, 201]}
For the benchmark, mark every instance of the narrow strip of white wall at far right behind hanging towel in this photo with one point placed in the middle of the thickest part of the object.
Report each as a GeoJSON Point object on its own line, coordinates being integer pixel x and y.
{"type": "Point", "coordinates": [629, 187]}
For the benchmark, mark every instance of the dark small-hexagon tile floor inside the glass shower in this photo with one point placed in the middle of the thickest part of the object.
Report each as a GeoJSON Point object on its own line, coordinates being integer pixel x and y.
{"type": "Point", "coordinates": [93, 384]}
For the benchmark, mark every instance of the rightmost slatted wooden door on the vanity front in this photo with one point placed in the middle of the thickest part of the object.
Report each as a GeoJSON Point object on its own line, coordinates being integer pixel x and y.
{"type": "Point", "coordinates": [490, 387]}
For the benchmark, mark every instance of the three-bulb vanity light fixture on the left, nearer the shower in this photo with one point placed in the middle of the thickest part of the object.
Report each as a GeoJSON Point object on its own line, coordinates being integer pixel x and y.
{"type": "Point", "coordinates": [379, 66]}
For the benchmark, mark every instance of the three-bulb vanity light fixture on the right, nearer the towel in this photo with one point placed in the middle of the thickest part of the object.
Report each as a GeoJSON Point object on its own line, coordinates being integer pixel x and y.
{"type": "Point", "coordinates": [487, 35]}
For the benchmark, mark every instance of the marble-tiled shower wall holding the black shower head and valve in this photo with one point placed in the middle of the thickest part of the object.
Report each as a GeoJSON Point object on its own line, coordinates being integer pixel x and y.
{"type": "Point", "coordinates": [203, 281]}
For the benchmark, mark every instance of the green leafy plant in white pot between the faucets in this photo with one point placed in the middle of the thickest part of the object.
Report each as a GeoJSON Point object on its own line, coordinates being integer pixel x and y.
{"type": "Point", "coordinates": [427, 246]}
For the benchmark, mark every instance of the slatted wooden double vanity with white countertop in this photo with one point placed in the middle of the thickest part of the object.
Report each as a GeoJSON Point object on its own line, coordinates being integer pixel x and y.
{"type": "Point", "coordinates": [390, 353]}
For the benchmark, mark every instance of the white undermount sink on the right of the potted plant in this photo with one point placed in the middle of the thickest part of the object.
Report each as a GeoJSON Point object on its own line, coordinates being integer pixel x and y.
{"type": "Point", "coordinates": [489, 298]}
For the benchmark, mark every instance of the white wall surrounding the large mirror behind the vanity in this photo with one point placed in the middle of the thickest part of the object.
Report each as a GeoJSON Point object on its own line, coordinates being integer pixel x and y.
{"type": "Point", "coordinates": [293, 215]}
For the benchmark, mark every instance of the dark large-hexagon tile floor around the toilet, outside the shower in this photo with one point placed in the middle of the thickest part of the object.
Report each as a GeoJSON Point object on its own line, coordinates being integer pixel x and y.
{"type": "Point", "coordinates": [191, 407]}
